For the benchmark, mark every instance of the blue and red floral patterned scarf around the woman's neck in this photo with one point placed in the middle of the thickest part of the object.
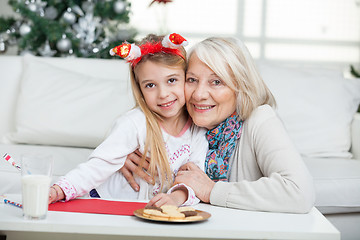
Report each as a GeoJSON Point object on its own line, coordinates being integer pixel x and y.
{"type": "Point", "coordinates": [222, 141]}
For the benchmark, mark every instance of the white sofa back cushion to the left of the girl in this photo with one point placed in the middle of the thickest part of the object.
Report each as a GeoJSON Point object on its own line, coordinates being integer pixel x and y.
{"type": "Point", "coordinates": [61, 107]}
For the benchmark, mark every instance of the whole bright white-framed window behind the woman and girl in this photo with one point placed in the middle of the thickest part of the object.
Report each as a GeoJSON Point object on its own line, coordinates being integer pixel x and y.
{"type": "Point", "coordinates": [321, 31]}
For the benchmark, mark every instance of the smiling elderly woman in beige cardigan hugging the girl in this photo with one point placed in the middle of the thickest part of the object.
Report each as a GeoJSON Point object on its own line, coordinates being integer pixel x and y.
{"type": "Point", "coordinates": [251, 162]}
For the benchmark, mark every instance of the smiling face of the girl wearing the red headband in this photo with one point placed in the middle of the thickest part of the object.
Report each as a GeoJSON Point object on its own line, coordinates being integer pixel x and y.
{"type": "Point", "coordinates": [163, 88]}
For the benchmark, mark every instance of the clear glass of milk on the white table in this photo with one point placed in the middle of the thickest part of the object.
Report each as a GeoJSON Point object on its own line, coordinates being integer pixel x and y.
{"type": "Point", "coordinates": [36, 172]}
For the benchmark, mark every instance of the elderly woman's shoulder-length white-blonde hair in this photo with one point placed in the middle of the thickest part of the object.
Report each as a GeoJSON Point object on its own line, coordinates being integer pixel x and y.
{"type": "Point", "coordinates": [231, 61]}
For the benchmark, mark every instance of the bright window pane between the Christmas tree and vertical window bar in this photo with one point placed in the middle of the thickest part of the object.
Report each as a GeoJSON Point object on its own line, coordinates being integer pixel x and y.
{"type": "Point", "coordinates": [200, 17]}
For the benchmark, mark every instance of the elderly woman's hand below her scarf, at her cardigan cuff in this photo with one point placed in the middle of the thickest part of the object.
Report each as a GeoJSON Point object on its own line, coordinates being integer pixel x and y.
{"type": "Point", "coordinates": [195, 178]}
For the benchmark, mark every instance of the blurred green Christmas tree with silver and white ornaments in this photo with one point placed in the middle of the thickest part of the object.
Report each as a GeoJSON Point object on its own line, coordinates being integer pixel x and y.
{"type": "Point", "coordinates": [82, 28]}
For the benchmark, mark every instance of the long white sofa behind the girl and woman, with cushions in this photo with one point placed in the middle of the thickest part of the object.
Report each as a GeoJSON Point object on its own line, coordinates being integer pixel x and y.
{"type": "Point", "coordinates": [66, 106]}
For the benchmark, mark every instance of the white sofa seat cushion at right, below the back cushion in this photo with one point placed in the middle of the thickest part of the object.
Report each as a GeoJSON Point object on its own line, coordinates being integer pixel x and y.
{"type": "Point", "coordinates": [337, 184]}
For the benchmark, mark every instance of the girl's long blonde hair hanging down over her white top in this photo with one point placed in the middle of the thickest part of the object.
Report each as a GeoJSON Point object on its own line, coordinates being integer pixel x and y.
{"type": "Point", "coordinates": [159, 164]}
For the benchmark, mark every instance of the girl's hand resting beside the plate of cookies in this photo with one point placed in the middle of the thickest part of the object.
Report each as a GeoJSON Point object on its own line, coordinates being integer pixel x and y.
{"type": "Point", "coordinates": [176, 198]}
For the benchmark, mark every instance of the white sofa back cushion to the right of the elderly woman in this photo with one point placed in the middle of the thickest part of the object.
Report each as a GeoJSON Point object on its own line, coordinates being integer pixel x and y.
{"type": "Point", "coordinates": [316, 106]}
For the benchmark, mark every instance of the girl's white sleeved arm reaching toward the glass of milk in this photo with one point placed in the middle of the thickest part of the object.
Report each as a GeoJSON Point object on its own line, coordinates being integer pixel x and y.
{"type": "Point", "coordinates": [107, 158]}
